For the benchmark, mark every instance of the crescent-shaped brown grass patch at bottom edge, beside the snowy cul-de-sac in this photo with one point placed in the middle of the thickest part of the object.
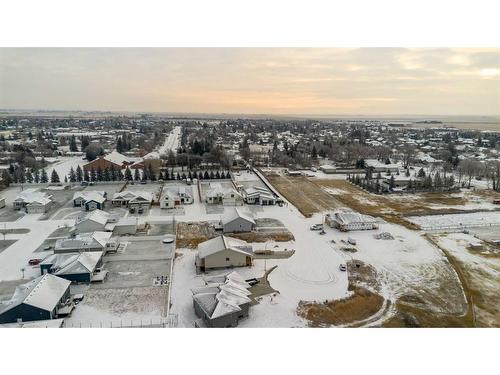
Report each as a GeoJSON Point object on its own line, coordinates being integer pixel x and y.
{"type": "Point", "coordinates": [362, 304]}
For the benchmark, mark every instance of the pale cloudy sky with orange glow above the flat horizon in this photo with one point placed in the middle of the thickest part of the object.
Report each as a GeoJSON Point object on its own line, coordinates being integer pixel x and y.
{"type": "Point", "coordinates": [293, 81]}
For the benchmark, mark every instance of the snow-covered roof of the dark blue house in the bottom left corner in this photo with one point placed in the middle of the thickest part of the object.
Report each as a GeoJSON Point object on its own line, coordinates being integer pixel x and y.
{"type": "Point", "coordinates": [44, 292]}
